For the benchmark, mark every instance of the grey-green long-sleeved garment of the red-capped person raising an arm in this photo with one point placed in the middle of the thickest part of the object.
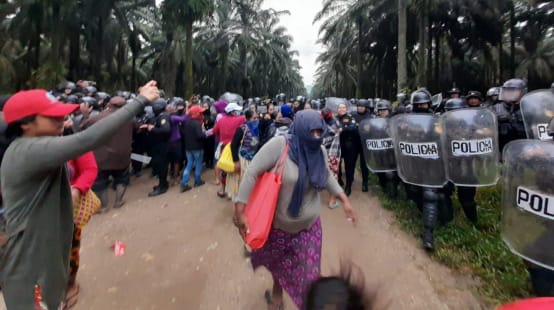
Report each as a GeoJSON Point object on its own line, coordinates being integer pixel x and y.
{"type": "Point", "coordinates": [39, 211]}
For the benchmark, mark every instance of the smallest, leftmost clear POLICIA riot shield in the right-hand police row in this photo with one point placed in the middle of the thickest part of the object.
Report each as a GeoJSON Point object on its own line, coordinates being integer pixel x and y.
{"type": "Point", "coordinates": [377, 144]}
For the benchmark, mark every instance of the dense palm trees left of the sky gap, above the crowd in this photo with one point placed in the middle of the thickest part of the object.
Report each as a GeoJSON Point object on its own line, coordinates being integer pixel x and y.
{"type": "Point", "coordinates": [207, 46]}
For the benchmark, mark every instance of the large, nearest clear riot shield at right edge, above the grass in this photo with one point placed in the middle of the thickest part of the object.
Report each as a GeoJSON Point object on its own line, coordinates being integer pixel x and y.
{"type": "Point", "coordinates": [528, 200]}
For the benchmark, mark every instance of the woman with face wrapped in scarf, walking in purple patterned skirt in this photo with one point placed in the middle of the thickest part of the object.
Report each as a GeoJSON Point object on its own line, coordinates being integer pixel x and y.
{"type": "Point", "coordinates": [292, 252]}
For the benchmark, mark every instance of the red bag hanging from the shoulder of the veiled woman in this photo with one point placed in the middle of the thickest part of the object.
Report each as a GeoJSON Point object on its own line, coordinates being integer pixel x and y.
{"type": "Point", "coordinates": [262, 203]}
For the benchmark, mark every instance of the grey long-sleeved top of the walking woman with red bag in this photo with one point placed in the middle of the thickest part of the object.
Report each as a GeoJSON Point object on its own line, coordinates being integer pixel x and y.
{"type": "Point", "coordinates": [265, 160]}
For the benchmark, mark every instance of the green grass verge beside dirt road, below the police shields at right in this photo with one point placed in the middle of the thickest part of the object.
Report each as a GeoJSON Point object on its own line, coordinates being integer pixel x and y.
{"type": "Point", "coordinates": [476, 250]}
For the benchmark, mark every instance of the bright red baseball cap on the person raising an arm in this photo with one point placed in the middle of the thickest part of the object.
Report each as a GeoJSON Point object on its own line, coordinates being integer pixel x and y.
{"type": "Point", "coordinates": [35, 102]}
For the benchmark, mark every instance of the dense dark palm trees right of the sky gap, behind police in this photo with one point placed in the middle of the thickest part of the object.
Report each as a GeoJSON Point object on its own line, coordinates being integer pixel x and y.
{"type": "Point", "coordinates": [441, 43]}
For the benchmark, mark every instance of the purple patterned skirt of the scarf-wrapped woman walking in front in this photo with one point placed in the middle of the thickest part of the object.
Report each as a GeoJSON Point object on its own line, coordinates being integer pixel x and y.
{"type": "Point", "coordinates": [293, 259]}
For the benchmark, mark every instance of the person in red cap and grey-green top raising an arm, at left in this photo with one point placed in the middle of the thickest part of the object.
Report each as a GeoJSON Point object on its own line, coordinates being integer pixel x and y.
{"type": "Point", "coordinates": [37, 194]}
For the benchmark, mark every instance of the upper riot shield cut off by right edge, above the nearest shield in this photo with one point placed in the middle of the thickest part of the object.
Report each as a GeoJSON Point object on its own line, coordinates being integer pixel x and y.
{"type": "Point", "coordinates": [537, 108]}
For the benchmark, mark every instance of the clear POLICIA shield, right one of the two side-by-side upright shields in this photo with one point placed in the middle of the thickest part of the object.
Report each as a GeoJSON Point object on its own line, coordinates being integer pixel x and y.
{"type": "Point", "coordinates": [470, 147]}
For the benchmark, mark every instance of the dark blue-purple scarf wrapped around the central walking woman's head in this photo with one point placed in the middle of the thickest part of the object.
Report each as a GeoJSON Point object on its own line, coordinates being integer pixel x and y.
{"type": "Point", "coordinates": [305, 151]}
